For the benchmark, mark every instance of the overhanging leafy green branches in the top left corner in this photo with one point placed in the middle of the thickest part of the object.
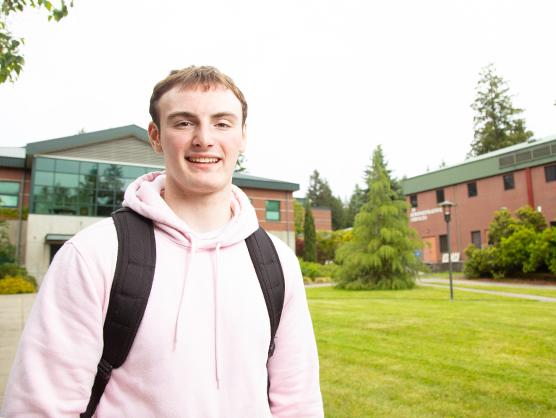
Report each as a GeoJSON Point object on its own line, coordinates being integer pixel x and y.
{"type": "Point", "coordinates": [11, 59]}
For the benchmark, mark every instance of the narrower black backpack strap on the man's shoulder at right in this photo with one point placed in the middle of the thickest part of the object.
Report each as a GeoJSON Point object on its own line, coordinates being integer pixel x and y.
{"type": "Point", "coordinates": [271, 277]}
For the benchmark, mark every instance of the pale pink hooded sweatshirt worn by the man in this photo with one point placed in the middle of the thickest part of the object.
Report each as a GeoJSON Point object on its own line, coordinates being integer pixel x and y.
{"type": "Point", "coordinates": [201, 349]}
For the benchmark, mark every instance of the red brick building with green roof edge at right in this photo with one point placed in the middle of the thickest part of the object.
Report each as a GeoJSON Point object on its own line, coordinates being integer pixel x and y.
{"type": "Point", "coordinates": [523, 174]}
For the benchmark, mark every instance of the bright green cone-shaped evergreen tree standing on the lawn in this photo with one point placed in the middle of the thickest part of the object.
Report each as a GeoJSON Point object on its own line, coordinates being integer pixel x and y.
{"type": "Point", "coordinates": [381, 254]}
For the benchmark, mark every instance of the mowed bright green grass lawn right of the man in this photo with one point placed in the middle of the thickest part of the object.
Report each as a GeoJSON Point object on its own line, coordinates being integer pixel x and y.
{"type": "Point", "coordinates": [414, 354]}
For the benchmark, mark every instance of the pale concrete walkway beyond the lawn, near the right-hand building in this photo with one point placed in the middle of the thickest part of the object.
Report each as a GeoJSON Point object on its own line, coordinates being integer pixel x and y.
{"type": "Point", "coordinates": [444, 284]}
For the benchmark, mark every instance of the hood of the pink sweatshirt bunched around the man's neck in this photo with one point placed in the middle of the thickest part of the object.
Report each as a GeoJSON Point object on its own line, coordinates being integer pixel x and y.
{"type": "Point", "coordinates": [144, 197]}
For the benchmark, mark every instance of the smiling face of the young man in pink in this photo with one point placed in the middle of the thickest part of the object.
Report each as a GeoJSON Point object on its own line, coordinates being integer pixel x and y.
{"type": "Point", "coordinates": [201, 136]}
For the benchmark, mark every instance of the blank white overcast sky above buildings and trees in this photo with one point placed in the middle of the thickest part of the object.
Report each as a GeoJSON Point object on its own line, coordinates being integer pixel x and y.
{"type": "Point", "coordinates": [326, 81]}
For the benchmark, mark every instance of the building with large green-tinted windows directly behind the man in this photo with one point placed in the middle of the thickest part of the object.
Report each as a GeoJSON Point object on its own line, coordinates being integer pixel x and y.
{"type": "Point", "coordinates": [68, 183]}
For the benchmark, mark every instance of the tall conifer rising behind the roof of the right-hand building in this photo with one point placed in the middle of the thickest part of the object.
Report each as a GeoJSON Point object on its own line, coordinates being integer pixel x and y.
{"type": "Point", "coordinates": [496, 122]}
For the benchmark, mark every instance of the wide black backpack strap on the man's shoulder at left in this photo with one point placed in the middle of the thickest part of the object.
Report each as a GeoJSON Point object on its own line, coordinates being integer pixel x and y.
{"type": "Point", "coordinates": [128, 297]}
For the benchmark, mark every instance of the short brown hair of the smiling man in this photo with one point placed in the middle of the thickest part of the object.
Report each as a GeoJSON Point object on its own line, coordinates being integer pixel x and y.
{"type": "Point", "coordinates": [204, 77]}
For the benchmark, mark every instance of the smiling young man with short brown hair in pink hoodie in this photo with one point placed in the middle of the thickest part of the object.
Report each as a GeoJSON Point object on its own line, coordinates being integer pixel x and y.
{"type": "Point", "coordinates": [202, 347]}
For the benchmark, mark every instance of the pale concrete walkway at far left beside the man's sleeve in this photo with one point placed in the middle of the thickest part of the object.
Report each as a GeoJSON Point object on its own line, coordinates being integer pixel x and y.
{"type": "Point", "coordinates": [14, 310]}
